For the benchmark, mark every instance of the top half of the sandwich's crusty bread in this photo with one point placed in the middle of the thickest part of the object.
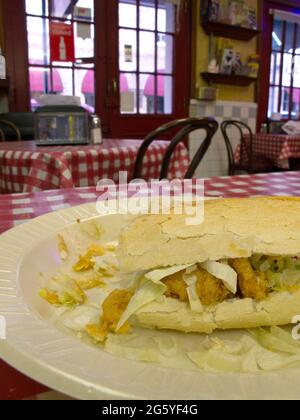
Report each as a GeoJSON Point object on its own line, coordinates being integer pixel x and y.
{"type": "Point", "coordinates": [232, 228]}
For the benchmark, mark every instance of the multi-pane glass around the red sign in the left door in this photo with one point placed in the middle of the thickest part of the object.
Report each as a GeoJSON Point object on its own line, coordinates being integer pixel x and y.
{"type": "Point", "coordinates": [61, 78]}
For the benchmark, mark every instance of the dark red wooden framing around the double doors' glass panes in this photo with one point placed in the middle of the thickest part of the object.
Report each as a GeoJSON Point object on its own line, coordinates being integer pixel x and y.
{"type": "Point", "coordinates": [107, 101]}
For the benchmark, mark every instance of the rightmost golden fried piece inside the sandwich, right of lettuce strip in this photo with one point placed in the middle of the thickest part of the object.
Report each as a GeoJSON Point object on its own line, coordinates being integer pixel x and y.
{"type": "Point", "coordinates": [251, 284]}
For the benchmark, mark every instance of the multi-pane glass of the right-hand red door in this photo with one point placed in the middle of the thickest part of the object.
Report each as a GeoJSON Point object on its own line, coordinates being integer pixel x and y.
{"type": "Point", "coordinates": [146, 51]}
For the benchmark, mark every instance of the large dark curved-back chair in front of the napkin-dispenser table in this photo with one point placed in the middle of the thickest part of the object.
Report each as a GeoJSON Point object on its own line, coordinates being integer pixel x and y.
{"type": "Point", "coordinates": [184, 127]}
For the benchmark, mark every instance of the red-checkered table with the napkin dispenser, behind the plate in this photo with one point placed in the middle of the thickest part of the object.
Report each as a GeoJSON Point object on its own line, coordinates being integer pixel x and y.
{"type": "Point", "coordinates": [25, 167]}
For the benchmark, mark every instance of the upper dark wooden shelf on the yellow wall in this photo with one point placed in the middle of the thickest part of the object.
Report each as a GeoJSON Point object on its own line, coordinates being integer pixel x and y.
{"type": "Point", "coordinates": [229, 31]}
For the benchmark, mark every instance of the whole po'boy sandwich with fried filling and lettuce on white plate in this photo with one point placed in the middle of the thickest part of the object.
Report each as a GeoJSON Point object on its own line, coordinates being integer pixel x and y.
{"type": "Point", "coordinates": [240, 268]}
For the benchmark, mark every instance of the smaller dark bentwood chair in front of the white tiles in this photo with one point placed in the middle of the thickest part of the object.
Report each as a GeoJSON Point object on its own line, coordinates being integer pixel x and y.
{"type": "Point", "coordinates": [247, 163]}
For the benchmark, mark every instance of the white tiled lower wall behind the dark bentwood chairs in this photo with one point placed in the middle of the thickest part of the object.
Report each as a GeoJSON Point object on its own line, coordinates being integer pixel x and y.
{"type": "Point", "coordinates": [215, 162]}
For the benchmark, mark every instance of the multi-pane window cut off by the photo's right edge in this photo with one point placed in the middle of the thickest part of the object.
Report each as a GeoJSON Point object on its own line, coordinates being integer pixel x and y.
{"type": "Point", "coordinates": [284, 83]}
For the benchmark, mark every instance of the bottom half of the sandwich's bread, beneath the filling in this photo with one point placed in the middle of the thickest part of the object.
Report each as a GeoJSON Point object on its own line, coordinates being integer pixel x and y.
{"type": "Point", "coordinates": [278, 309]}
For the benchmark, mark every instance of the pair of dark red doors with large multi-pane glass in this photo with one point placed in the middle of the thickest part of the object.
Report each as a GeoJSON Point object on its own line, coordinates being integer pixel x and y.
{"type": "Point", "coordinates": [132, 59]}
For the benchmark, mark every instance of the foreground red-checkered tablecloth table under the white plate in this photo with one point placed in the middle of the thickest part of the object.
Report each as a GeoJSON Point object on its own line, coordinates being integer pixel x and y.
{"type": "Point", "coordinates": [17, 208]}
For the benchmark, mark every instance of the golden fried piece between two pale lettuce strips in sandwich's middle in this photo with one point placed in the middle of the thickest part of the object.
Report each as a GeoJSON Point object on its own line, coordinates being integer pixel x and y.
{"type": "Point", "coordinates": [210, 289]}
